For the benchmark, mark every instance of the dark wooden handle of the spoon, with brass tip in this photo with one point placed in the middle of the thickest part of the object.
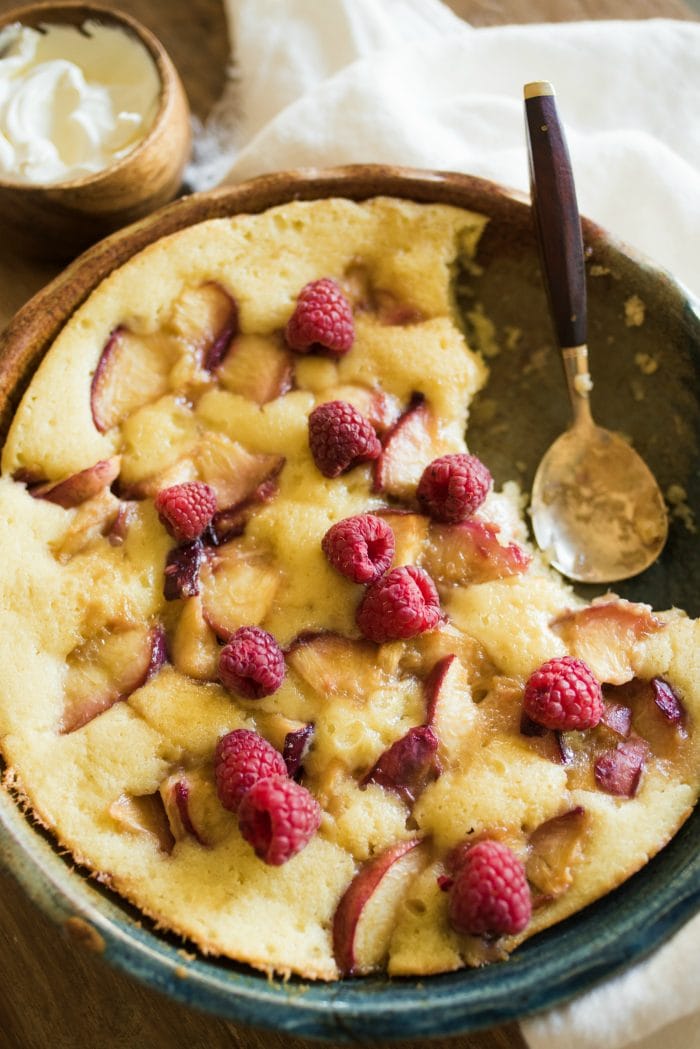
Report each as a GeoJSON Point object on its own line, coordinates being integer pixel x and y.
{"type": "Point", "coordinates": [556, 211]}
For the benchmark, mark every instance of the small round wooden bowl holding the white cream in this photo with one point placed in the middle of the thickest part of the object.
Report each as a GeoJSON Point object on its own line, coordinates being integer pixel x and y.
{"type": "Point", "coordinates": [58, 221]}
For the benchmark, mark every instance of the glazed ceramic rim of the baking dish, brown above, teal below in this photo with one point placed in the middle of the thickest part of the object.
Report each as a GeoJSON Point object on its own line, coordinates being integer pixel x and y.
{"type": "Point", "coordinates": [595, 945]}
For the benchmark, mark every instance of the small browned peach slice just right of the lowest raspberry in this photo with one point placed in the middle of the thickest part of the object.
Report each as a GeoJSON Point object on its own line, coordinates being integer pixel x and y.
{"type": "Point", "coordinates": [556, 847]}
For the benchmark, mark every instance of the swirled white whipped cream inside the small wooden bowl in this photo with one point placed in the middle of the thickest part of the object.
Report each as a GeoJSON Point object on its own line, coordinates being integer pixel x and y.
{"type": "Point", "coordinates": [73, 101]}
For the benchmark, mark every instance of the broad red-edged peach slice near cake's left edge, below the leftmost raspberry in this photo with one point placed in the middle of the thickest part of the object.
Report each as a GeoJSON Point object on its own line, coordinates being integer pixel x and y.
{"type": "Point", "coordinates": [109, 669]}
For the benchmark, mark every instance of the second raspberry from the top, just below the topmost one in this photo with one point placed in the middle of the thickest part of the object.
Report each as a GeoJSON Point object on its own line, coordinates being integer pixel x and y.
{"type": "Point", "coordinates": [341, 437]}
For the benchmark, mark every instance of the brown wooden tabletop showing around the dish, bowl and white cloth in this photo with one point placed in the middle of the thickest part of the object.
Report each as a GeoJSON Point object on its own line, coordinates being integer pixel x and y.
{"type": "Point", "coordinates": [53, 993]}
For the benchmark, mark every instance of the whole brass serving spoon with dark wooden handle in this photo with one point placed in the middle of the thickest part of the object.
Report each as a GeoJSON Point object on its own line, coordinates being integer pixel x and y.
{"type": "Point", "coordinates": [598, 511]}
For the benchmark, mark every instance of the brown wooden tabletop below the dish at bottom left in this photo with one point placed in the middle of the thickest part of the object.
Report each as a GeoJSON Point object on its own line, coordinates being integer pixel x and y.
{"type": "Point", "coordinates": [58, 994]}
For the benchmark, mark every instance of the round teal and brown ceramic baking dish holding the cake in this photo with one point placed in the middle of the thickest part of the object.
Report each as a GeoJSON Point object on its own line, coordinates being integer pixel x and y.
{"type": "Point", "coordinates": [638, 917]}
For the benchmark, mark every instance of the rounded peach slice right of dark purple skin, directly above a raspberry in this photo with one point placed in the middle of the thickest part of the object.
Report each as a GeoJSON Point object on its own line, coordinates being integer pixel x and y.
{"type": "Point", "coordinates": [239, 587]}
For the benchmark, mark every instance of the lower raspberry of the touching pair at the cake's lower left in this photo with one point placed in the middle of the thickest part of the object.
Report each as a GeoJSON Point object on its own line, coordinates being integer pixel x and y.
{"type": "Point", "coordinates": [279, 818]}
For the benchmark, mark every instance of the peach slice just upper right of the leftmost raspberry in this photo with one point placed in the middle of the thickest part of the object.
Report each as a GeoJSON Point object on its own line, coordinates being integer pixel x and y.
{"type": "Point", "coordinates": [235, 474]}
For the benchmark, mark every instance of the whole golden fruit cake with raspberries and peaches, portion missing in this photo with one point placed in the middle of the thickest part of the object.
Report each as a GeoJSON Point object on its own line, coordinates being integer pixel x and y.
{"type": "Point", "coordinates": [279, 665]}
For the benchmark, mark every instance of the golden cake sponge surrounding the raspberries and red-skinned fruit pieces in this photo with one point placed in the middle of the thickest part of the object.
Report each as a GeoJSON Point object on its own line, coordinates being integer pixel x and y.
{"type": "Point", "coordinates": [99, 781]}
